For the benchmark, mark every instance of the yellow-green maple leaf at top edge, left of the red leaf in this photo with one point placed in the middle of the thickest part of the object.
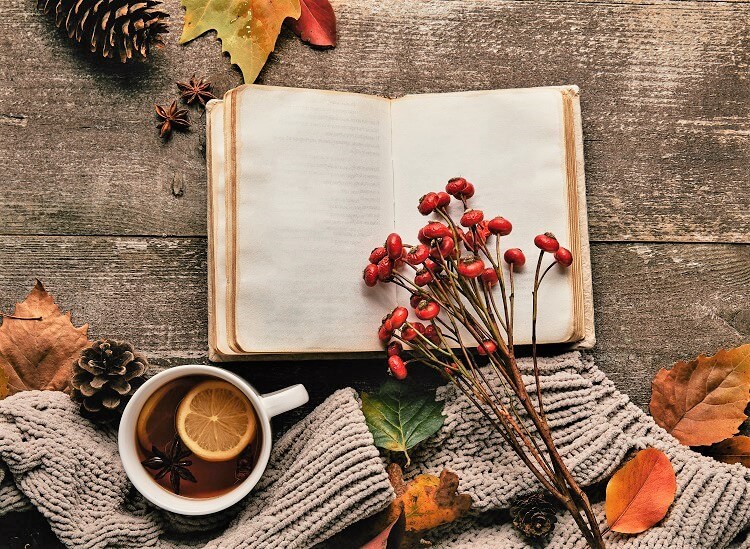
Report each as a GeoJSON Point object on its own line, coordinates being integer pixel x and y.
{"type": "Point", "coordinates": [247, 28]}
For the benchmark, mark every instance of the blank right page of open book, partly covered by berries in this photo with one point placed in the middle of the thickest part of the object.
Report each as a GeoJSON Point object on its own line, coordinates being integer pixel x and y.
{"type": "Point", "coordinates": [510, 145]}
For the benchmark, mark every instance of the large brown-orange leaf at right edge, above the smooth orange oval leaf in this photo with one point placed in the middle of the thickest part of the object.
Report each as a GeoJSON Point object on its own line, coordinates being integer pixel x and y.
{"type": "Point", "coordinates": [702, 402]}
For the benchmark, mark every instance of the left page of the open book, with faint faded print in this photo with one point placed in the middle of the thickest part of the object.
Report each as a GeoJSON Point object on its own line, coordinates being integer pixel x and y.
{"type": "Point", "coordinates": [314, 195]}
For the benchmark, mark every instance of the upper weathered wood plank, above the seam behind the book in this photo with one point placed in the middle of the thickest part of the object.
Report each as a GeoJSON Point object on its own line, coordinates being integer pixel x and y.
{"type": "Point", "coordinates": [665, 101]}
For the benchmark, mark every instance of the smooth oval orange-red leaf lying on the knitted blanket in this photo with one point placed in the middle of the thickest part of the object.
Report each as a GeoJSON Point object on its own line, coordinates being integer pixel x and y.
{"type": "Point", "coordinates": [640, 492]}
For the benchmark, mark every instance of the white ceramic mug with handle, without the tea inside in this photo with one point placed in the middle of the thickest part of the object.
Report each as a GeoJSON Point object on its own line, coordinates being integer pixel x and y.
{"type": "Point", "coordinates": [266, 406]}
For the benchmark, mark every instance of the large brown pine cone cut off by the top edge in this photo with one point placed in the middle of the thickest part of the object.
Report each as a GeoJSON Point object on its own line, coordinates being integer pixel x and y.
{"type": "Point", "coordinates": [123, 29]}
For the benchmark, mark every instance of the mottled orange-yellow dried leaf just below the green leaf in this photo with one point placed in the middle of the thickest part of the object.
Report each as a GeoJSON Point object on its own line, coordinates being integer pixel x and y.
{"type": "Point", "coordinates": [430, 501]}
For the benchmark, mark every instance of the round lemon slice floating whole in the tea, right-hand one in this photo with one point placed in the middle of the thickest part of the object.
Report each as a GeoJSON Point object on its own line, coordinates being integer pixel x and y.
{"type": "Point", "coordinates": [216, 421]}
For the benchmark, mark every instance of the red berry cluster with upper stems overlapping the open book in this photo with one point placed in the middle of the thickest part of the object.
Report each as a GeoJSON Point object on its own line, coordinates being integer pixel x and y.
{"type": "Point", "coordinates": [450, 264]}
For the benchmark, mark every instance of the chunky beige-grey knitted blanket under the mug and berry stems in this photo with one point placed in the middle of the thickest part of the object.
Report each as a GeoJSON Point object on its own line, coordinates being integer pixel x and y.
{"type": "Point", "coordinates": [325, 474]}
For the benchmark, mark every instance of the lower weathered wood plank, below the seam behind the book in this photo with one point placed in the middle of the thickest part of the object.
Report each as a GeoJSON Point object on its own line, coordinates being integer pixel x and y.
{"type": "Point", "coordinates": [655, 304]}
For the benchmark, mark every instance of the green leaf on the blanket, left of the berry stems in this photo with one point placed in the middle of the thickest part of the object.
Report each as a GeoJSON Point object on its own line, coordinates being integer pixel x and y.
{"type": "Point", "coordinates": [400, 416]}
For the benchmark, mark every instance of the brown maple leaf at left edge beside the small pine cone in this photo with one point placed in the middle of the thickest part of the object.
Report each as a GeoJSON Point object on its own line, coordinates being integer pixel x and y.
{"type": "Point", "coordinates": [39, 354]}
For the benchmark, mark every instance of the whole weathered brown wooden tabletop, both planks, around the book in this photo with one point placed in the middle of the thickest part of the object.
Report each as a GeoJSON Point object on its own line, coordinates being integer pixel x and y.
{"type": "Point", "coordinates": [114, 222]}
